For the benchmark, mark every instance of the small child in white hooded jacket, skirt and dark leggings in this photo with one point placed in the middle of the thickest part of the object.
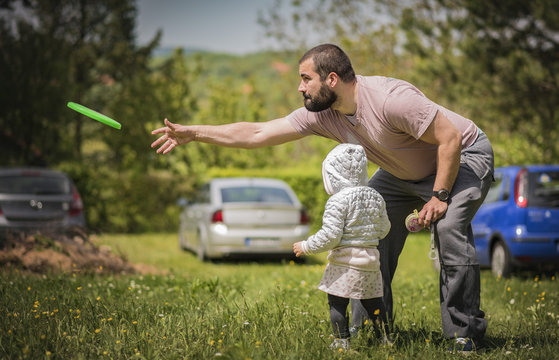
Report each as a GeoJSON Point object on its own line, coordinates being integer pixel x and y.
{"type": "Point", "coordinates": [354, 221]}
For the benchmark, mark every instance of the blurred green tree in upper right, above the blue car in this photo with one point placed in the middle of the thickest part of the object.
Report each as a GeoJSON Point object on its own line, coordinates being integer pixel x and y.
{"type": "Point", "coordinates": [510, 53]}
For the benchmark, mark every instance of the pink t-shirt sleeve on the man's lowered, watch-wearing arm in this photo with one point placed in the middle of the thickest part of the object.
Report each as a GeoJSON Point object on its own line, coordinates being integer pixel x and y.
{"type": "Point", "coordinates": [408, 110]}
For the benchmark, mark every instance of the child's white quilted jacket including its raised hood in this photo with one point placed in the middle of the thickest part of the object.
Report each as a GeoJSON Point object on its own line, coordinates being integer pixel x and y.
{"type": "Point", "coordinates": [355, 214]}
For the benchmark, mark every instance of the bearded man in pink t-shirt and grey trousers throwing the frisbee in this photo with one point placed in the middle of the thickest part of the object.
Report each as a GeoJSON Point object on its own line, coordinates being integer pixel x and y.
{"type": "Point", "coordinates": [428, 158]}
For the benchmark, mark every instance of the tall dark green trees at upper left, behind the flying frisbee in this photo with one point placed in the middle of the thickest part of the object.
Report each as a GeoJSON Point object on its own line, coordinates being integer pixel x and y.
{"type": "Point", "coordinates": [56, 51]}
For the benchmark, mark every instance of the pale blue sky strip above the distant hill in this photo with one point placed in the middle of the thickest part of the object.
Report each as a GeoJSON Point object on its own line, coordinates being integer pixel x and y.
{"type": "Point", "coordinates": [216, 25]}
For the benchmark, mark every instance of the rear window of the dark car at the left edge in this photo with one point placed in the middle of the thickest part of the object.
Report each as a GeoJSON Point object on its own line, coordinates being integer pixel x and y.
{"type": "Point", "coordinates": [36, 185]}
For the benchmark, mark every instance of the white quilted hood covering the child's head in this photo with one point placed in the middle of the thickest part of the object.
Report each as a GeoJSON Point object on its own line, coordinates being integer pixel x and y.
{"type": "Point", "coordinates": [344, 166]}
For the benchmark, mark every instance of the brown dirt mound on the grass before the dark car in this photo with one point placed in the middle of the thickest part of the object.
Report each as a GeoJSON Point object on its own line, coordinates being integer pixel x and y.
{"type": "Point", "coordinates": [70, 251]}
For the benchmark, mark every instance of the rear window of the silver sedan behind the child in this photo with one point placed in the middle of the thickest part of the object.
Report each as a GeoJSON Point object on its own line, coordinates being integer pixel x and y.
{"type": "Point", "coordinates": [255, 194]}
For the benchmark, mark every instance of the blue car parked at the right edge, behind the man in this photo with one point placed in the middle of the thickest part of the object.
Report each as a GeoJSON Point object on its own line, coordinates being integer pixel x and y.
{"type": "Point", "coordinates": [518, 224]}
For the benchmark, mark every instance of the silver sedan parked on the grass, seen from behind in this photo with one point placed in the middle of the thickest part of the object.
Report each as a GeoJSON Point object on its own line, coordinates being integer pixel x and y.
{"type": "Point", "coordinates": [240, 216]}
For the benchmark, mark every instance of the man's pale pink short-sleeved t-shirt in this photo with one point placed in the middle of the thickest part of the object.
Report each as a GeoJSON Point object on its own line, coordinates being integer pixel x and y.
{"type": "Point", "coordinates": [391, 117]}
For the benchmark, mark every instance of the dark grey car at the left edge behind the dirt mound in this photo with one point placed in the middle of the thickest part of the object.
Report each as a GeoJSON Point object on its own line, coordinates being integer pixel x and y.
{"type": "Point", "coordinates": [35, 199]}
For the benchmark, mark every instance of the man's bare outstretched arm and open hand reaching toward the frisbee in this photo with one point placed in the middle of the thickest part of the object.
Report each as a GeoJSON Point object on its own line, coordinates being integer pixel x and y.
{"type": "Point", "coordinates": [247, 135]}
